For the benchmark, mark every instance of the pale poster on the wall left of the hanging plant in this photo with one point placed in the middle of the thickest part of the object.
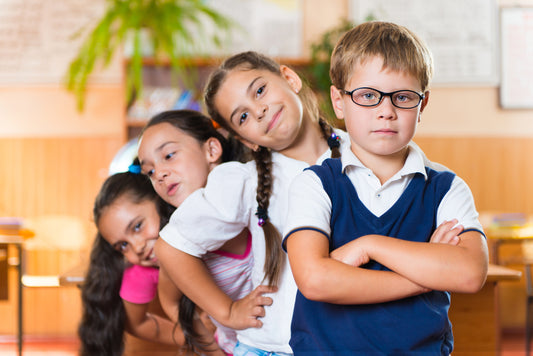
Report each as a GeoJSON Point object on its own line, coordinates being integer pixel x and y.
{"type": "Point", "coordinates": [36, 40]}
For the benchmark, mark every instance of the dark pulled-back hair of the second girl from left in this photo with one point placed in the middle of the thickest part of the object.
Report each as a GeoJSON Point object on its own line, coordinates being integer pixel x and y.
{"type": "Point", "coordinates": [200, 127]}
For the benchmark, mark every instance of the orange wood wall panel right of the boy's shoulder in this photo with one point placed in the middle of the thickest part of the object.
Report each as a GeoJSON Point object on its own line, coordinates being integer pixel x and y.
{"type": "Point", "coordinates": [498, 170]}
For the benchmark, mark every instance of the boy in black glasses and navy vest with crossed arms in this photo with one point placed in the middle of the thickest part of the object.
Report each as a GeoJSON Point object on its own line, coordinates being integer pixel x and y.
{"type": "Point", "coordinates": [410, 235]}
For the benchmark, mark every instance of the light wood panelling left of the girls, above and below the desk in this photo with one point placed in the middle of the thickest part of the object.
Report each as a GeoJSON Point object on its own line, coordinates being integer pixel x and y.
{"type": "Point", "coordinates": [50, 176]}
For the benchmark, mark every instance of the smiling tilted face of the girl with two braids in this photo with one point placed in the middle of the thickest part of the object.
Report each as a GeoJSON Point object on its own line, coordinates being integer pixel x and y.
{"type": "Point", "coordinates": [262, 107]}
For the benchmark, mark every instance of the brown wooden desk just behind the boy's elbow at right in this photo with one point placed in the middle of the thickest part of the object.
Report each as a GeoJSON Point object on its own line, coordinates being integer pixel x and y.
{"type": "Point", "coordinates": [475, 317]}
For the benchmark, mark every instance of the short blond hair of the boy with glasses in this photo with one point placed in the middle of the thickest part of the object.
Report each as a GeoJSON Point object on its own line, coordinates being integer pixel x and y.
{"type": "Point", "coordinates": [400, 49]}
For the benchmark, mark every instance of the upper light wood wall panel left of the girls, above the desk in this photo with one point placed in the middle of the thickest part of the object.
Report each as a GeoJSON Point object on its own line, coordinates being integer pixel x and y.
{"type": "Point", "coordinates": [41, 176]}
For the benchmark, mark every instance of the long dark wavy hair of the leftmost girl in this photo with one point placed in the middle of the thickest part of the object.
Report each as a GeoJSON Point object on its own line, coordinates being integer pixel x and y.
{"type": "Point", "coordinates": [101, 330]}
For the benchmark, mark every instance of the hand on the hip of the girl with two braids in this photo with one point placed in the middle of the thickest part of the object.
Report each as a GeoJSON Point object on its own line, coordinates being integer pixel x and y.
{"type": "Point", "coordinates": [244, 312]}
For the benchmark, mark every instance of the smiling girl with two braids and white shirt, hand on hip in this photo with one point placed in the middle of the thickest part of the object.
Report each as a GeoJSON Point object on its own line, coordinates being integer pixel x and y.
{"type": "Point", "coordinates": [267, 107]}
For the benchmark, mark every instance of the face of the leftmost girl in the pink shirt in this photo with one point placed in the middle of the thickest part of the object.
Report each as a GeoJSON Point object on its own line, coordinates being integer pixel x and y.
{"type": "Point", "coordinates": [132, 228]}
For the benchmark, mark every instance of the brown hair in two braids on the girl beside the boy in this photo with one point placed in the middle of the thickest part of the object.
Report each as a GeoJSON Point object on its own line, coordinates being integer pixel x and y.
{"type": "Point", "coordinates": [274, 259]}
